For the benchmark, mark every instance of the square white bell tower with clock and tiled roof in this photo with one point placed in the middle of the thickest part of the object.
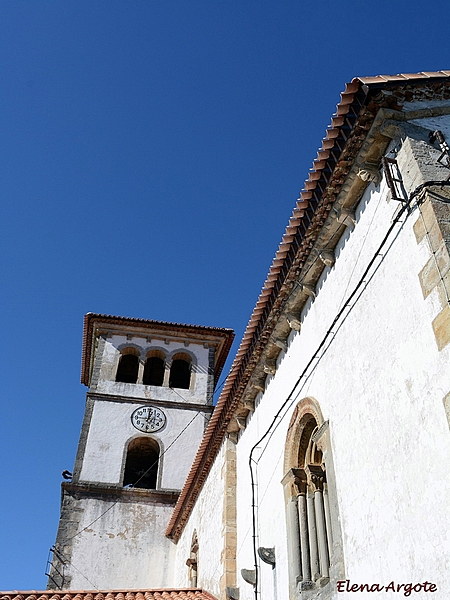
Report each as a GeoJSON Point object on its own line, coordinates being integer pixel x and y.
{"type": "Point", "coordinates": [150, 396]}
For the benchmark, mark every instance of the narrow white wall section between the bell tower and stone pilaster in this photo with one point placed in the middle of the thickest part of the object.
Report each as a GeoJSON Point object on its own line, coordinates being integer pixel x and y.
{"type": "Point", "coordinates": [206, 520]}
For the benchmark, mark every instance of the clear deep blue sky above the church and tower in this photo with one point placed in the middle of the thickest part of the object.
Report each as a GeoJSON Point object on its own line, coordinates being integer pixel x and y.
{"type": "Point", "coordinates": [151, 155]}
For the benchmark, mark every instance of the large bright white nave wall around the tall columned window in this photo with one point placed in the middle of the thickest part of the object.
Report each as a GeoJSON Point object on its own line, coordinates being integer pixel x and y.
{"type": "Point", "coordinates": [380, 383]}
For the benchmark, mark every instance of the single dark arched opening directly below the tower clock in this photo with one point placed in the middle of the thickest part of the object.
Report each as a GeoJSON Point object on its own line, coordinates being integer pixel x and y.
{"type": "Point", "coordinates": [141, 466]}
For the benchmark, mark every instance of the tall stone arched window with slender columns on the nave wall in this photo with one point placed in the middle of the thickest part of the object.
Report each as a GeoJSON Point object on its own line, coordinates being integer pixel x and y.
{"type": "Point", "coordinates": [309, 518]}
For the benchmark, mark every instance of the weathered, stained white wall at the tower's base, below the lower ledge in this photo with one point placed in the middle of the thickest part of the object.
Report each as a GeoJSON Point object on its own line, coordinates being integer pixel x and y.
{"type": "Point", "coordinates": [125, 549]}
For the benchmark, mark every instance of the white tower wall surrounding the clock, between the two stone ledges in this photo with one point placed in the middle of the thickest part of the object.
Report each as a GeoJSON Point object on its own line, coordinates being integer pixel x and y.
{"type": "Point", "coordinates": [111, 430]}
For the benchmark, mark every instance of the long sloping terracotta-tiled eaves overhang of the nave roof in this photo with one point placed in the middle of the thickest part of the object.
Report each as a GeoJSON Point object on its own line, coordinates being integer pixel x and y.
{"type": "Point", "coordinates": [361, 102]}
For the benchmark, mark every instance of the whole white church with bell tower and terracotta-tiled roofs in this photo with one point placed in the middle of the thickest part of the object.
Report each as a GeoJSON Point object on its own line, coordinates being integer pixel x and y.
{"type": "Point", "coordinates": [323, 470]}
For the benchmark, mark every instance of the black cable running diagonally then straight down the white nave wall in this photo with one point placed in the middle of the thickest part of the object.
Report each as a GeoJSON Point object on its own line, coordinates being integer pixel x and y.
{"type": "Point", "coordinates": [404, 208]}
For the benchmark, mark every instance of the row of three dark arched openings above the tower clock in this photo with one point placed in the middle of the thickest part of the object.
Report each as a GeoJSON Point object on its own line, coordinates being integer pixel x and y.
{"type": "Point", "coordinates": [157, 369]}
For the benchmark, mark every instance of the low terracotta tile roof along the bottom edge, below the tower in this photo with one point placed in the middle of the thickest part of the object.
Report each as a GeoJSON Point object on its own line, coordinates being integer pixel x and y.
{"type": "Point", "coordinates": [159, 594]}
